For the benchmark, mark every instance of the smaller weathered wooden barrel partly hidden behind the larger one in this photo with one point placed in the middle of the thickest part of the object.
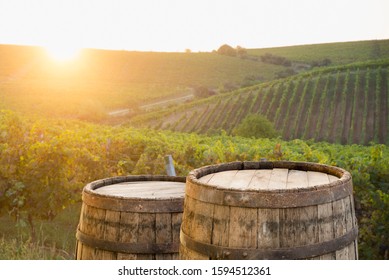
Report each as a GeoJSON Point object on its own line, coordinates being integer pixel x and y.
{"type": "Point", "coordinates": [131, 217]}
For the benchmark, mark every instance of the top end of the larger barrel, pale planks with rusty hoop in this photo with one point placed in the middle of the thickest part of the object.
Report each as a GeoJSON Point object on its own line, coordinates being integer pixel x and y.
{"type": "Point", "coordinates": [278, 184]}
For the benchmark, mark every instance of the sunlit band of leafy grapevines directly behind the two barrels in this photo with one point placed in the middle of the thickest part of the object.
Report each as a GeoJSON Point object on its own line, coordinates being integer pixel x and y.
{"type": "Point", "coordinates": [45, 163]}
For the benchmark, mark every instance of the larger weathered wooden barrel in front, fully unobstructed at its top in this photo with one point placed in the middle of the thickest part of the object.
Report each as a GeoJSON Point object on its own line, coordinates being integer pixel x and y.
{"type": "Point", "coordinates": [269, 210]}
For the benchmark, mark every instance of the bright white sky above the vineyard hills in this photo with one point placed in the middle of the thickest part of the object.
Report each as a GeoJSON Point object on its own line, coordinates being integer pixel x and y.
{"type": "Point", "coordinates": [197, 25]}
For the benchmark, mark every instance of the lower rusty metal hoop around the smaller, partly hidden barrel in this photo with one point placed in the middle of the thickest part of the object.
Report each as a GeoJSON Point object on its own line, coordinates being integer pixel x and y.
{"type": "Point", "coordinates": [129, 248]}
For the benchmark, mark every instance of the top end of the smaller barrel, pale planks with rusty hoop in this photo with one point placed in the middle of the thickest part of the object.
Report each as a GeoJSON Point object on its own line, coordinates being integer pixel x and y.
{"type": "Point", "coordinates": [137, 193]}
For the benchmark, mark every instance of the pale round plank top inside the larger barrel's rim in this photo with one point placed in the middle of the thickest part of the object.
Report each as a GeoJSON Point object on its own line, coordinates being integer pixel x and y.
{"type": "Point", "coordinates": [267, 179]}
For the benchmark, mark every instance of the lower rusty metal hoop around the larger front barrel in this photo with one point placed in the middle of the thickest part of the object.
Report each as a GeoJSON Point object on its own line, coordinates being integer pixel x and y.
{"type": "Point", "coordinates": [299, 252]}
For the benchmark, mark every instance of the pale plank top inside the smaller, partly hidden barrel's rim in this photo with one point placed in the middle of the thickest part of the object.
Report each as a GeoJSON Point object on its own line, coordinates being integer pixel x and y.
{"type": "Point", "coordinates": [144, 189]}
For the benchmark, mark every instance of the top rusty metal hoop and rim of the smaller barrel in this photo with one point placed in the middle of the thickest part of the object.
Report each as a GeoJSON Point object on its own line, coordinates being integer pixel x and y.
{"type": "Point", "coordinates": [91, 198]}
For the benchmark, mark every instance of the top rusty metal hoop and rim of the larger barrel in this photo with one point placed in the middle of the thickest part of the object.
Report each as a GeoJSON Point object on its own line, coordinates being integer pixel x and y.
{"type": "Point", "coordinates": [269, 199]}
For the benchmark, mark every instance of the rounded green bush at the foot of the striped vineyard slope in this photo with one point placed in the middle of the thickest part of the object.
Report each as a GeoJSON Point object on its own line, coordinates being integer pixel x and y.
{"type": "Point", "coordinates": [256, 126]}
